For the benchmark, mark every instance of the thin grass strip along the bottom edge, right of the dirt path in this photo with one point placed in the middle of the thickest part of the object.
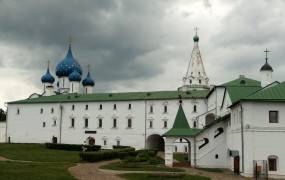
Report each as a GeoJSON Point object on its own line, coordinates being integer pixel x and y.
{"type": "Point", "coordinates": [134, 176]}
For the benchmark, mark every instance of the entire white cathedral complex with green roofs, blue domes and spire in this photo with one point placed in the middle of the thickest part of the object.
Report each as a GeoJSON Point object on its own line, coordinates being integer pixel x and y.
{"type": "Point", "coordinates": [237, 125]}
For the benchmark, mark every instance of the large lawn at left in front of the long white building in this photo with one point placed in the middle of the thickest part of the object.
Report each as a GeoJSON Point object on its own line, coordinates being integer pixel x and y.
{"type": "Point", "coordinates": [37, 152]}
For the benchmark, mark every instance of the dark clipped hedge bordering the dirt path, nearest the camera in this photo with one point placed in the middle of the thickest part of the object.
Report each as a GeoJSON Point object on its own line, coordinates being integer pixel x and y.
{"type": "Point", "coordinates": [107, 155]}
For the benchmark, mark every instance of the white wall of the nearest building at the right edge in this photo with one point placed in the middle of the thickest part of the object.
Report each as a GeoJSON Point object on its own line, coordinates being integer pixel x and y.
{"type": "Point", "coordinates": [261, 138]}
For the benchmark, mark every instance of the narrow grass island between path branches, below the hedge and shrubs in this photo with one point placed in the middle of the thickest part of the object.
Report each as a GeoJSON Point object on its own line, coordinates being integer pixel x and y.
{"type": "Point", "coordinates": [139, 167]}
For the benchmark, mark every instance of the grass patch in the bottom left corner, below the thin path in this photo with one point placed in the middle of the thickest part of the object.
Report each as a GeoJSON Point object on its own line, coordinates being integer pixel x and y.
{"type": "Point", "coordinates": [35, 171]}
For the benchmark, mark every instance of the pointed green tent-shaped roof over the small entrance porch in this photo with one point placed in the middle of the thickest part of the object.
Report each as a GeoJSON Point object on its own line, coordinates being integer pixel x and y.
{"type": "Point", "coordinates": [181, 126]}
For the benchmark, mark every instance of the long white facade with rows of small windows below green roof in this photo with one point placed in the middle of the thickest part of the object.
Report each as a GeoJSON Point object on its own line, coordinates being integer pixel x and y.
{"type": "Point", "coordinates": [28, 125]}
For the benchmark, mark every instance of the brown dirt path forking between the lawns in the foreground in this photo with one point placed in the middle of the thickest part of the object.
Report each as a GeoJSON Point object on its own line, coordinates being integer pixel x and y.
{"type": "Point", "coordinates": [90, 171]}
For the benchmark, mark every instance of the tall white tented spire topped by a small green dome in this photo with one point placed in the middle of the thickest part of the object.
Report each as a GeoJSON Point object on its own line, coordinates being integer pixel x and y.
{"type": "Point", "coordinates": [196, 76]}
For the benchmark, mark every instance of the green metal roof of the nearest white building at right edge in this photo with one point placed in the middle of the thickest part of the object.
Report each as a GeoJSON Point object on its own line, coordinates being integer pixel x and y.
{"type": "Point", "coordinates": [273, 93]}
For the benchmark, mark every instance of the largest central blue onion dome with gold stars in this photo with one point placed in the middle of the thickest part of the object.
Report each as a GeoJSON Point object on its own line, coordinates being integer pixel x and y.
{"type": "Point", "coordinates": [68, 65]}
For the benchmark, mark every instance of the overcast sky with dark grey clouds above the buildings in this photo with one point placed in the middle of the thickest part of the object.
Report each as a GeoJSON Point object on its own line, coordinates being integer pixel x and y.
{"type": "Point", "coordinates": [137, 45]}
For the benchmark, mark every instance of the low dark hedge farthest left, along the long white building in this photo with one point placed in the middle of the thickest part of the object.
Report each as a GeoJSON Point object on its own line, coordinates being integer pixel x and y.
{"type": "Point", "coordinates": [73, 147]}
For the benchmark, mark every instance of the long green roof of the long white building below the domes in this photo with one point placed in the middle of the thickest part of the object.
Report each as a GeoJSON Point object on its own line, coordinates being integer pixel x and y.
{"type": "Point", "coordinates": [127, 96]}
